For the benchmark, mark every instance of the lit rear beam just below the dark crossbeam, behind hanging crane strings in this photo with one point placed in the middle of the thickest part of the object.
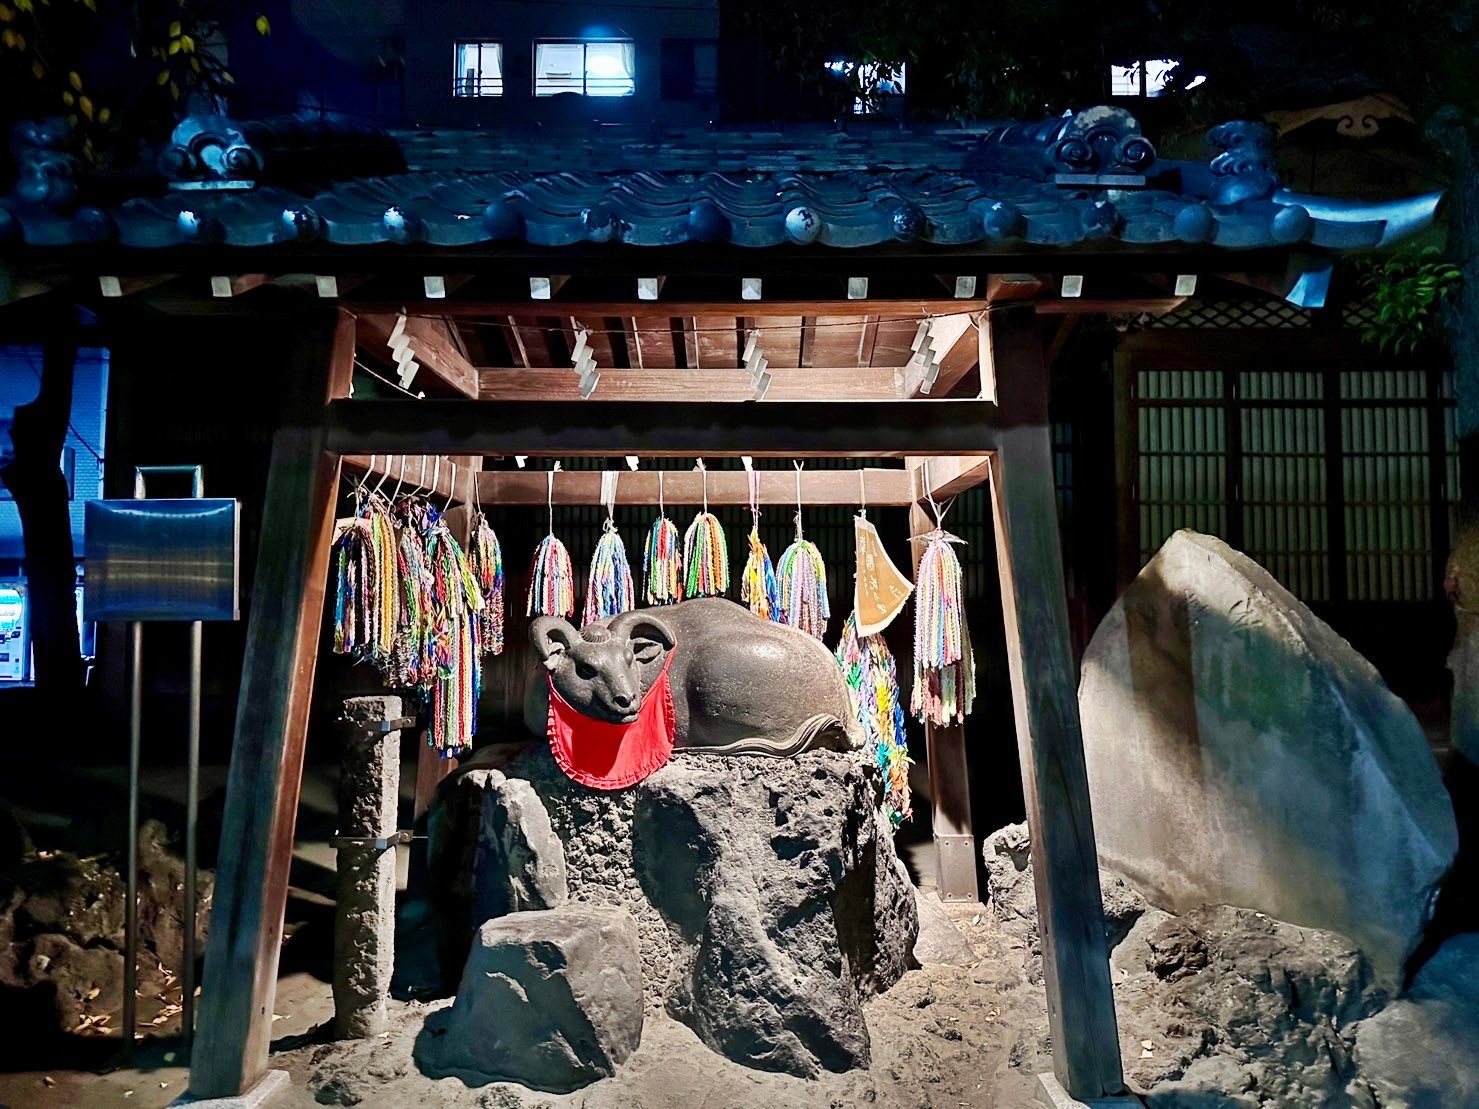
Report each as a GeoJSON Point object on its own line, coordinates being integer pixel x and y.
{"type": "Point", "coordinates": [687, 487]}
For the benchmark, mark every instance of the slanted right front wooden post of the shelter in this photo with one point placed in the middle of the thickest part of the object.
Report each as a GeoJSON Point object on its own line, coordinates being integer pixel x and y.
{"type": "Point", "coordinates": [1045, 694]}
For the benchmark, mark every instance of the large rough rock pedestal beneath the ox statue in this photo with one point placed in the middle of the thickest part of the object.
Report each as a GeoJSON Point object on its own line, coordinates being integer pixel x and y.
{"type": "Point", "coordinates": [767, 892]}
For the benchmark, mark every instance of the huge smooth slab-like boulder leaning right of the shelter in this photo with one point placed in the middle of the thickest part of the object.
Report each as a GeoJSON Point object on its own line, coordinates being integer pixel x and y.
{"type": "Point", "coordinates": [1240, 752]}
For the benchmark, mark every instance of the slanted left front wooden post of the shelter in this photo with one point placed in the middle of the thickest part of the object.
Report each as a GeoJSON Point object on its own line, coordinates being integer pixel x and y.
{"type": "Point", "coordinates": [267, 758]}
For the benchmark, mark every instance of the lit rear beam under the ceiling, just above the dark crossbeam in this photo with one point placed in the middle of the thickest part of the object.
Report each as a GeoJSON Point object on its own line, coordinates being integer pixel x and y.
{"type": "Point", "coordinates": [677, 387]}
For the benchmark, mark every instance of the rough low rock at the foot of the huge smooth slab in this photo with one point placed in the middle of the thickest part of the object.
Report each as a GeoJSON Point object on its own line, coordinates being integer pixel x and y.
{"type": "Point", "coordinates": [1230, 1008]}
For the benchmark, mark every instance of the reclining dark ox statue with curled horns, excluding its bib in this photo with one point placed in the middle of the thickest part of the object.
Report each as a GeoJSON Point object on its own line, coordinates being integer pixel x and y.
{"type": "Point", "coordinates": [742, 685]}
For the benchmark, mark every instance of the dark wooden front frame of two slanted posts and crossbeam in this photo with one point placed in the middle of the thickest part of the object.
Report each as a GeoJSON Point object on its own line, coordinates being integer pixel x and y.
{"type": "Point", "coordinates": [1006, 443]}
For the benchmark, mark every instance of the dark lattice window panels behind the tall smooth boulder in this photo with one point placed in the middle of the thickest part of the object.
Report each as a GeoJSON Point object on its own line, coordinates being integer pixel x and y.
{"type": "Point", "coordinates": [1347, 483]}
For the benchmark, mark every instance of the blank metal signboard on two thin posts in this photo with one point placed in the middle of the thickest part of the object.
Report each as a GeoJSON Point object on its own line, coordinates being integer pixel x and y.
{"type": "Point", "coordinates": [169, 561]}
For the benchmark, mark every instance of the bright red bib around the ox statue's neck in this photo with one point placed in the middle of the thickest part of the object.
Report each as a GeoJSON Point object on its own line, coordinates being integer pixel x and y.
{"type": "Point", "coordinates": [607, 756]}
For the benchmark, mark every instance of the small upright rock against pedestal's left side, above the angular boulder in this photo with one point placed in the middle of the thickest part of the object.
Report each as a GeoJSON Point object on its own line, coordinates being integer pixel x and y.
{"type": "Point", "coordinates": [520, 863]}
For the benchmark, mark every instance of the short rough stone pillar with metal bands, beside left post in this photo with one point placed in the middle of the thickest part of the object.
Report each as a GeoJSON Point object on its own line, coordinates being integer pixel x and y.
{"type": "Point", "coordinates": [365, 912]}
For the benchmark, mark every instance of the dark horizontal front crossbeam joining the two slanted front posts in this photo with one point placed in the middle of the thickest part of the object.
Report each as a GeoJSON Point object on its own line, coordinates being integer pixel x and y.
{"type": "Point", "coordinates": [801, 430]}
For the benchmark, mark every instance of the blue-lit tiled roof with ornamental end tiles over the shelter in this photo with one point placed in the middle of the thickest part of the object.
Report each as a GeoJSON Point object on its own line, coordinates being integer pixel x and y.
{"type": "Point", "coordinates": [1085, 183]}
